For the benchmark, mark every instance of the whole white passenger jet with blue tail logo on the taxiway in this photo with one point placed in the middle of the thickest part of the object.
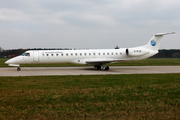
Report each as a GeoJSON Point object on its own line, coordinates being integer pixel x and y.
{"type": "Point", "coordinates": [99, 58]}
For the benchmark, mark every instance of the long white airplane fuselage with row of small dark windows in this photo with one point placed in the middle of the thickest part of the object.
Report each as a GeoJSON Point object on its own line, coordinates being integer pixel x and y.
{"type": "Point", "coordinates": [77, 56]}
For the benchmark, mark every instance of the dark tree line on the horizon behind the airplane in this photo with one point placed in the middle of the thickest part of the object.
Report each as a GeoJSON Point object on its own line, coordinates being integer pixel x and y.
{"type": "Point", "coordinates": [171, 53]}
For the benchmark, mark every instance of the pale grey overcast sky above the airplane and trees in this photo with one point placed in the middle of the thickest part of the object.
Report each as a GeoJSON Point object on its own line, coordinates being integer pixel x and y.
{"type": "Point", "coordinates": [87, 23]}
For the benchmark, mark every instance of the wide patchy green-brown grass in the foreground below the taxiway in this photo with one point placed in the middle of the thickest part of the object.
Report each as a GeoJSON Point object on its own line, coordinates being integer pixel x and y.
{"type": "Point", "coordinates": [147, 96]}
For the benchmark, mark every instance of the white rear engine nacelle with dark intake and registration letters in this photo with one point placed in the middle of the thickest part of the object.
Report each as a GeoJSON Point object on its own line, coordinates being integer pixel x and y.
{"type": "Point", "coordinates": [135, 52]}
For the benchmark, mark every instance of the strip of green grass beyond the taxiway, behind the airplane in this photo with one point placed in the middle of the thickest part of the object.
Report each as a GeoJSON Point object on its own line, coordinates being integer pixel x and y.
{"type": "Point", "coordinates": [146, 62]}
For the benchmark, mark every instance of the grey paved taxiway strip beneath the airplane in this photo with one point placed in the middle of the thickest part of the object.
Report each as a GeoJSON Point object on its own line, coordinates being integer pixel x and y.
{"type": "Point", "coordinates": [41, 71]}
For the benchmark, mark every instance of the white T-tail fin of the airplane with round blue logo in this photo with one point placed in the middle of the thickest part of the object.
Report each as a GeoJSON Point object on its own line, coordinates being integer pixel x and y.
{"type": "Point", "coordinates": [155, 41]}
